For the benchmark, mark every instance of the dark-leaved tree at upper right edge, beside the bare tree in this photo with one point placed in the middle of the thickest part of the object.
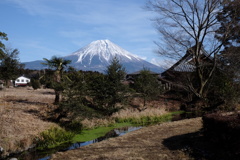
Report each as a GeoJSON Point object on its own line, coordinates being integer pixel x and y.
{"type": "Point", "coordinates": [229, 19]}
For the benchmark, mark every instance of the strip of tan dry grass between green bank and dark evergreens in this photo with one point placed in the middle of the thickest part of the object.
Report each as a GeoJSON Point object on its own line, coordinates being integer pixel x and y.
{"type": "Point", "coordinates": [135, 110]}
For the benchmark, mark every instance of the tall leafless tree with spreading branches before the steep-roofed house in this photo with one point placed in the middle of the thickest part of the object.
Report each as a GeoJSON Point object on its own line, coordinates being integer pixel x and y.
{"type": "Point", "coordinates": [187, 27]}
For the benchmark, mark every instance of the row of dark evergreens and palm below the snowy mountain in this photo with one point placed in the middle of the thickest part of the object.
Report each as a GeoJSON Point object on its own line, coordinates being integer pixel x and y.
{"type": "Point", "coordinates": [96, 93]}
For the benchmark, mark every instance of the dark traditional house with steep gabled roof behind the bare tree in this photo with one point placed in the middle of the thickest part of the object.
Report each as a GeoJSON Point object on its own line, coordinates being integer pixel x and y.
{"type": "Point", "coordinates": [173, 78]}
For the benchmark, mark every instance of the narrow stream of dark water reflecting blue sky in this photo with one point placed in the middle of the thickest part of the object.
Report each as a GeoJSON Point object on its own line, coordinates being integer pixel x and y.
{"type": "Point", "coordinates": [45, 155]}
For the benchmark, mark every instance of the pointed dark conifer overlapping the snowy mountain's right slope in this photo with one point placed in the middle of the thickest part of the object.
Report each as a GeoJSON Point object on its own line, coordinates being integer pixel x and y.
{"type": "Point", "coordinates": [108, 90]}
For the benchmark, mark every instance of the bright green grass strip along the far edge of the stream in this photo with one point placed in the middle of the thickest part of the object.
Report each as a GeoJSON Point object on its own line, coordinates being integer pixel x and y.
{"type": "Point", "coordinates": [55, 137]}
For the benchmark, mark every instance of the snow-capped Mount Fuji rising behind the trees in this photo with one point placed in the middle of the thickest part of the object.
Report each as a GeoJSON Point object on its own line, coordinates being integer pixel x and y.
{"type": "Point", "coordinates": [98, 55]}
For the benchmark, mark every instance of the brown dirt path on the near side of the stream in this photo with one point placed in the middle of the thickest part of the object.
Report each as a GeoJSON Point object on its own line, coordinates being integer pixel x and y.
{"type": "Point", "coordinates": [166, 141]}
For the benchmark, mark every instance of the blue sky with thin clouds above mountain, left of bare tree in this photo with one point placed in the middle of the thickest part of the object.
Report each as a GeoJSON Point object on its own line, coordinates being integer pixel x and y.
{"type": "Point", "coordinates": [44, 28]}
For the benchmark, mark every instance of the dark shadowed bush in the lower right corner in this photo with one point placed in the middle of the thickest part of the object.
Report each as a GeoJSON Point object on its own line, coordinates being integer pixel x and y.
{"type": "Point", "coordinates": [223, 131]}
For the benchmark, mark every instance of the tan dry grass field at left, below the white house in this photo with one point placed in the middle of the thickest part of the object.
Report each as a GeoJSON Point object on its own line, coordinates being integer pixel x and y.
{"type": "Point", "coordinates": [20, 122]}
